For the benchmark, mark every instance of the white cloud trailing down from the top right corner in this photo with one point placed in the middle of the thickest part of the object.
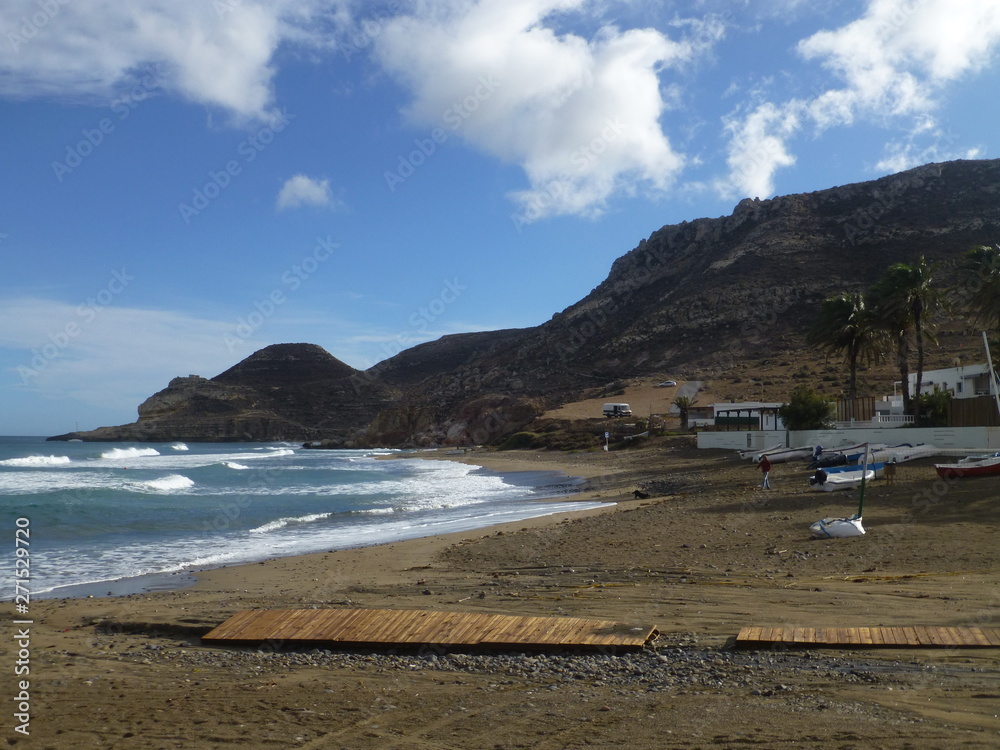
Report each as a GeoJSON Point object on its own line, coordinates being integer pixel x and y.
{"type": "Point", "coordinates": [893, 63]}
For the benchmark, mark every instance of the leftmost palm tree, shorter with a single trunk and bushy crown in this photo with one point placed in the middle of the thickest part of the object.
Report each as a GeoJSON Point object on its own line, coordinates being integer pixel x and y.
{"type": "Point", "coordinates": [847, 324]}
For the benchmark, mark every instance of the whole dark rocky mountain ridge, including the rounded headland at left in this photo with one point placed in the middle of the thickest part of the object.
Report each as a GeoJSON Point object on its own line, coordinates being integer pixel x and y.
{"type": "Point", "coordinates": [701, 297]}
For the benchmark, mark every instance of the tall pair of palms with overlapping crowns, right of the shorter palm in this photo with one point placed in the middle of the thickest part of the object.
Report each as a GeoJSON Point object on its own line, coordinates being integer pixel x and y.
{"type": "Point", "coordinates": [905, 298]}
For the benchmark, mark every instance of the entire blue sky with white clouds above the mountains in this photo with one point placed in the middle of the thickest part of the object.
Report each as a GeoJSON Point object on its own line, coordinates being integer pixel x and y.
{"type": "Point", "coordinates": [183, 182]}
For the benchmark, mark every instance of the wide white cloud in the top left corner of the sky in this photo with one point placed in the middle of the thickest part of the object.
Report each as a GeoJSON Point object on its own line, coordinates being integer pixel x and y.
{"type": "Point", "coordinates": [213, 53]}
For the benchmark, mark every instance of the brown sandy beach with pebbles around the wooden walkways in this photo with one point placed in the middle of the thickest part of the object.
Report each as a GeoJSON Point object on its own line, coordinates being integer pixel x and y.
{"type": "Point", "coordinates": [706, 554]}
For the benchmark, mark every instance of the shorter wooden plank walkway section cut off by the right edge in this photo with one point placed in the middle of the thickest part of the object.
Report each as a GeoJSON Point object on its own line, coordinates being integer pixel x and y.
{"type": "Point", "coordinates": [885, 637]}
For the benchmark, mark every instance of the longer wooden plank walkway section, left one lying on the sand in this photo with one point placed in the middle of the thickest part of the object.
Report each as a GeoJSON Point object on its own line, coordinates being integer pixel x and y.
{"type": "Point", "coordinates": [389, 627]}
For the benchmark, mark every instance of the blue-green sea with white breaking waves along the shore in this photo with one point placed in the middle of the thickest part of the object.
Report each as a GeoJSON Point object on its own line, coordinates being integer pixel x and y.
{"type": "Point", "coordinates": [102, 512]}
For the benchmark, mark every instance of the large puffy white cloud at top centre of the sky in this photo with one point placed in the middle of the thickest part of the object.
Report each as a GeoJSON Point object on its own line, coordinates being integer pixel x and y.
{"type": "Point", "coordinates": [580, 116]}
